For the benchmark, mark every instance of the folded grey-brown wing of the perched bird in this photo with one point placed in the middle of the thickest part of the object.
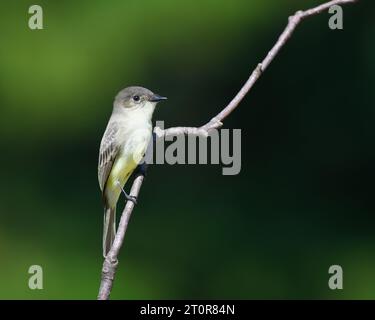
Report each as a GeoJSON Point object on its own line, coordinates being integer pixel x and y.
{"type": "Point", "coordinates": [108, 152]}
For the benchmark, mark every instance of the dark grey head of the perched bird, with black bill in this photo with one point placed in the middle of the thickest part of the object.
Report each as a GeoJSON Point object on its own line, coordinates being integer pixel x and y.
{"type": "Point", "coordinates": [136, 97]}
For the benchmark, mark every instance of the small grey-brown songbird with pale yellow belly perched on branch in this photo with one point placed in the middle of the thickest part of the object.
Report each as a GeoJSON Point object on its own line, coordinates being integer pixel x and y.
{"type": "Point", "coordinates": [123, 146]}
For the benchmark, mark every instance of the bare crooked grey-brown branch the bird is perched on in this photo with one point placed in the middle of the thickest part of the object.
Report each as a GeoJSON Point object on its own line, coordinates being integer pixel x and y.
{"type": "Point", "coordinates": [111, 262]}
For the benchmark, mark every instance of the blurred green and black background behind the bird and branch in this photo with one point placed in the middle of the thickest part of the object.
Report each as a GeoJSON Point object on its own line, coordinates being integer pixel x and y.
{"type": "Point", "coordinates": [304, 199]}
